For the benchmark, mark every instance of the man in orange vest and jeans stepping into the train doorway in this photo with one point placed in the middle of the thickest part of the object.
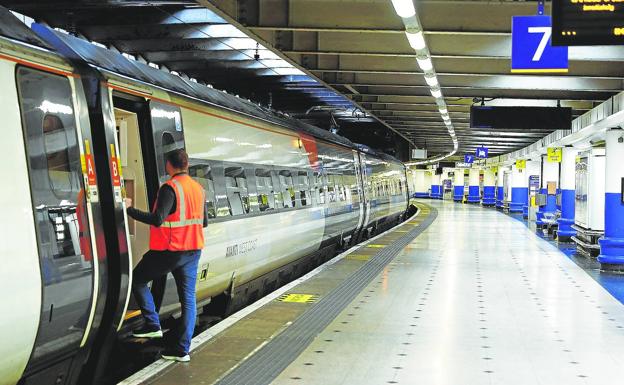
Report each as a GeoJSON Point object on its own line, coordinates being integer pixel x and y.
{"type": "Point", "coordinates": [176, 239]}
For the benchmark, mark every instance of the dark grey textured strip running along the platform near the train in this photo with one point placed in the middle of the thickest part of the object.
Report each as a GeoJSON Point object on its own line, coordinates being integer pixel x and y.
{"type": "Point", "coordinates": [273, 358]}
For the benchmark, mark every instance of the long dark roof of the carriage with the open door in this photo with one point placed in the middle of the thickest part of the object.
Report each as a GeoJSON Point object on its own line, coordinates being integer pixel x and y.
{"type": "Point", "coordinates": [115, 62]}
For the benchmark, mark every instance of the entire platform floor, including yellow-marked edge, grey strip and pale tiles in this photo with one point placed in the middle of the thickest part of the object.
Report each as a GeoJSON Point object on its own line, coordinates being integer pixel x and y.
{"type": "Point", "coordinates": [459, 294]}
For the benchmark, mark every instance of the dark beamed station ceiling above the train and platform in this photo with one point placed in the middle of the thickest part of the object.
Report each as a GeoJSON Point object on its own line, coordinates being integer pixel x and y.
{"type": "Point", "coordinates": [348, 59]}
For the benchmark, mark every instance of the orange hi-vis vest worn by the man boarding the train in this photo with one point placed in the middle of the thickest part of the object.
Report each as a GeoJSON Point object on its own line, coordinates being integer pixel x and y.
{"type": "Point", "coordinates": [182, 230]}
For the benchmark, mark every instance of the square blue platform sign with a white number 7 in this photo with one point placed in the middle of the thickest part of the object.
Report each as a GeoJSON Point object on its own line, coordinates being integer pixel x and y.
{"type": "Point", "coordinates": [531, 46]}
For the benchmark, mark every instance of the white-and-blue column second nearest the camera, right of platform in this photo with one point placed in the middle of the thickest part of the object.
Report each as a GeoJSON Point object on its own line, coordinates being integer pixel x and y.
{"type": "Point", "coordinates": [567, 183]}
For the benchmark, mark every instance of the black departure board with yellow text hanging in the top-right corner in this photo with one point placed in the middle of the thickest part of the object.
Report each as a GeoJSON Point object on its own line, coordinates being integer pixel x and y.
{"type": "Point", "coordinates": [588, 22]}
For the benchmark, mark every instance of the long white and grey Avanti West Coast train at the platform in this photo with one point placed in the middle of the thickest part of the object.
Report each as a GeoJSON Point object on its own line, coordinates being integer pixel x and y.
{"type": "Point", "coordinates": [84, 127]}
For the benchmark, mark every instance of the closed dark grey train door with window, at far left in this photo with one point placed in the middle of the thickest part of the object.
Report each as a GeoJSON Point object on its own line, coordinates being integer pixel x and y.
{"type": "Point", "coordinates": [59, 209]}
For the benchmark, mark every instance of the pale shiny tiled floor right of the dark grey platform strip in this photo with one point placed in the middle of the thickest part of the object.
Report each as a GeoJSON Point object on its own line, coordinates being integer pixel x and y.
{"type": "Point", "coordinates": [476, 299]}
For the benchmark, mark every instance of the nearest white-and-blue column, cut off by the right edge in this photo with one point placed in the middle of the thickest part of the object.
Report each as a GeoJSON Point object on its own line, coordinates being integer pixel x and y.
{"type": "Point", "coordinates": [612, 244]}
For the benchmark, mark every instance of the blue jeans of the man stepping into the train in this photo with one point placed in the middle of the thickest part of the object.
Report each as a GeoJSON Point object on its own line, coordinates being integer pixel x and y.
{"type": "Point", "coordinates": [183, 266]}
